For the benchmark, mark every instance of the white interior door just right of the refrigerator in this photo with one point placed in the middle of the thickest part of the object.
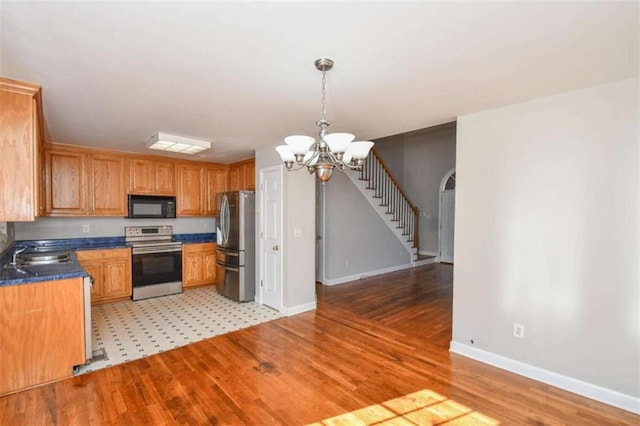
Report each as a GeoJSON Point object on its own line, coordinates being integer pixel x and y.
{"type": "Point", "coordinates": [271, 237]}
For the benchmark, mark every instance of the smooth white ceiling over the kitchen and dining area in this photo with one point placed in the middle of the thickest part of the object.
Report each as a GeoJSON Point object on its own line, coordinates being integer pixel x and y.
{"type": "Point", "coordinates": [241, 74]}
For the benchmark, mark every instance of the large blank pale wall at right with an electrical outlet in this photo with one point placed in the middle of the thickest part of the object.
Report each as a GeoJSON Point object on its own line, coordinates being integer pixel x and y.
{"type": "Point", "coordinates": [547, 231]}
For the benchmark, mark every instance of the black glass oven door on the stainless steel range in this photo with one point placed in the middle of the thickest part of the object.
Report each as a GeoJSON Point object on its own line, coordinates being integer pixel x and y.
{"type": "Point", "coordinates": [155, 267]}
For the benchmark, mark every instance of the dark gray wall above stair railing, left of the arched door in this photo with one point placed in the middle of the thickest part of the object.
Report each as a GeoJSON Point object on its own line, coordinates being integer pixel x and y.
{"type": "Point", "coordinates": [419, 160]}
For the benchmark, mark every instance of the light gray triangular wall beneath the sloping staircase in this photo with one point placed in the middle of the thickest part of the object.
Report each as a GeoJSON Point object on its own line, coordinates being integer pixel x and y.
{"type": "Point", "coordinates": [356, 241]}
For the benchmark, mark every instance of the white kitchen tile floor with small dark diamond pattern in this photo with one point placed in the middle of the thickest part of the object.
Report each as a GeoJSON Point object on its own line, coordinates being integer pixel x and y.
{"type": "Point", "coordinates": [131, 330]}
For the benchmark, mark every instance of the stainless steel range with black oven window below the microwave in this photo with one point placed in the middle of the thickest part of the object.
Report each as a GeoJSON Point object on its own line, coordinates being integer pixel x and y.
{"type": "Point", "coordinates": [156, 267]}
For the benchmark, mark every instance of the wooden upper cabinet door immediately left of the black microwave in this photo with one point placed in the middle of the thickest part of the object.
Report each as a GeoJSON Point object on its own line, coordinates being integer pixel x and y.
{"type": "Point", "coordinates": [108, 195]}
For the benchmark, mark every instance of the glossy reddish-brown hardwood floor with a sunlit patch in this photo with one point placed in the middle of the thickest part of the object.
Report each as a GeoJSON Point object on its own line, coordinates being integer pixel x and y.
{"type": "Point", "coordinates": [375, 351]}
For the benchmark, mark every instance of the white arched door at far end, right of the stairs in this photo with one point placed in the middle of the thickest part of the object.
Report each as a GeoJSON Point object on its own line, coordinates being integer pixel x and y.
{"type": "Point", "coordinates": [447, 216]}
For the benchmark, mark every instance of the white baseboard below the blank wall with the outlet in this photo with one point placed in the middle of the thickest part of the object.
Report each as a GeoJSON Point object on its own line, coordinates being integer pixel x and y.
{"type": "Point", "coordinates": [607, 396]}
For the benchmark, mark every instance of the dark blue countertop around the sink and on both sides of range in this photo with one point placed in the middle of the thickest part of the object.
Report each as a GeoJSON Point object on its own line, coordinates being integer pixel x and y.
{"type": "Point", "coordinates": [11, 275]}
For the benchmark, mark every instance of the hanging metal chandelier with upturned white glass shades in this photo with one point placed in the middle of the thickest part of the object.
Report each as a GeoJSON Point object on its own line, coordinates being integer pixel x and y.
{"type": "Point", "coordinates": [331, 151]}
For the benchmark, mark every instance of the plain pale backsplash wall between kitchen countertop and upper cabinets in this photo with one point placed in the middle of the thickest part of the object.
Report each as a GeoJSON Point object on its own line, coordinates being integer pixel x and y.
{"type": "Point", "coordinates": [67, 227]}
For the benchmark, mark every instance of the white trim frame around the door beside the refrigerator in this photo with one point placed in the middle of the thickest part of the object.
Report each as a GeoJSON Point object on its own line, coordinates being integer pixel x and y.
{"type": "Point", "coordinates": [260, 227]}
